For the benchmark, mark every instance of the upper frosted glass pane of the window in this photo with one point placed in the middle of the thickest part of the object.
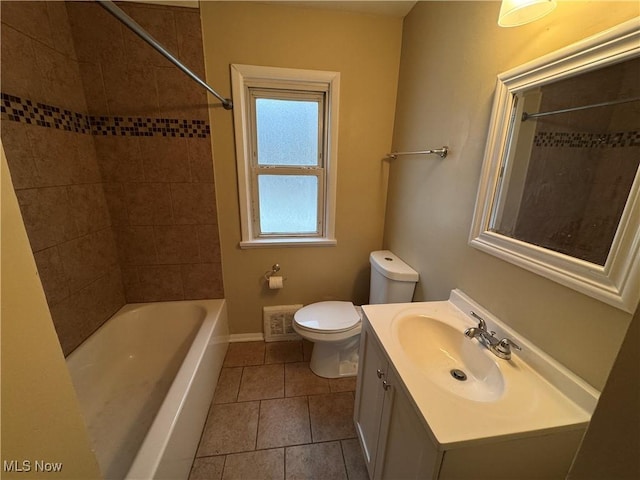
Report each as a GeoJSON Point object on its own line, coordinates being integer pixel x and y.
{"type": "Point", "coordinates": [287, 132]}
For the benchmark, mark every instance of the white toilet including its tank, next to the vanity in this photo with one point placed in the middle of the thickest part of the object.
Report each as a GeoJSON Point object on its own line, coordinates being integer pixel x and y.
{"type": "Point", "coordinates": [334, 326]}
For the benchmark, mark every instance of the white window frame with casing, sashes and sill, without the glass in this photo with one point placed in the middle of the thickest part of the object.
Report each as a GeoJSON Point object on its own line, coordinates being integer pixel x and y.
{"type": "Point", "coordinates": [246, 79]}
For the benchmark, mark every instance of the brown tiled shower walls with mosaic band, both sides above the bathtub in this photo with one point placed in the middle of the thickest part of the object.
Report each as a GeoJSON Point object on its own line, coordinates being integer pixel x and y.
{"type": "Point", "coordinates": [108, 148]}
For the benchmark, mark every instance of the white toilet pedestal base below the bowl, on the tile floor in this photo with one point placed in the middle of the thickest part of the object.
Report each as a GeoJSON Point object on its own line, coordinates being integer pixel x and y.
{"type": "Point", "coordinates": [335, 359]}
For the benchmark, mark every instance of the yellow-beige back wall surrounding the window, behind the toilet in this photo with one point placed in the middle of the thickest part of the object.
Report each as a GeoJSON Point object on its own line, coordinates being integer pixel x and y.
{"type": "Point", "coordinates": [365, 49]}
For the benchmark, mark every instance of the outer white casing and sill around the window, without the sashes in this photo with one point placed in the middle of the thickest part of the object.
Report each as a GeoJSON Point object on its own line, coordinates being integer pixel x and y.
{"type": "Point", "coordinates": [315, 80]}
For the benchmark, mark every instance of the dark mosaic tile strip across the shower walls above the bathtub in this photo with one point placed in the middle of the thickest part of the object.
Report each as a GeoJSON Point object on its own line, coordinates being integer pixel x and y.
{"type": "Point", "coordinates": [20, 110]}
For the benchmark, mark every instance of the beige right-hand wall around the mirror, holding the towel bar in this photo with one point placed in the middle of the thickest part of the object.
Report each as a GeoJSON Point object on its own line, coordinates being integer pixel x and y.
{"type": "Point", "coordinates": [451, 54]}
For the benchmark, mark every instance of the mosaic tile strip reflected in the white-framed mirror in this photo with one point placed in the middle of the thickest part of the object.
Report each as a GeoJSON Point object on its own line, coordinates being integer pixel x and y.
{"type": "Point", "coordinates": [587, 140]}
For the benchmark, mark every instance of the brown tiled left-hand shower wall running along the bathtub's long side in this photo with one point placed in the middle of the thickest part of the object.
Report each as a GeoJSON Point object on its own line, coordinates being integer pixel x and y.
{"type": "Point", "coordinates": [55, 172]}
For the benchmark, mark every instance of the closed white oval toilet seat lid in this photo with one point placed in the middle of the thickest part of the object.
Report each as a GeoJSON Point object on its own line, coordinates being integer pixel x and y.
{"type": "Point", "coordinates": [327, 317]}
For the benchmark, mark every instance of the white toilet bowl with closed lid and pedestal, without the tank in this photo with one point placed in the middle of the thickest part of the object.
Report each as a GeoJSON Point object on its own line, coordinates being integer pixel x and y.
{"type": "Point", "coordinates": [334, 328]}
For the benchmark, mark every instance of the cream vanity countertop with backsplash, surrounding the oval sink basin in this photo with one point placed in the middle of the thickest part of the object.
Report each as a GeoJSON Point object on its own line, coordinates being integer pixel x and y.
{"type": "Point", "coordinates": [538, 394]}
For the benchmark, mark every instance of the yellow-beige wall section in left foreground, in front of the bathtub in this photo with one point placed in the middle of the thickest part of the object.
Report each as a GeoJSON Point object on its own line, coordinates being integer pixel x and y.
{"type": "Point", "coordinates": [40, 415]}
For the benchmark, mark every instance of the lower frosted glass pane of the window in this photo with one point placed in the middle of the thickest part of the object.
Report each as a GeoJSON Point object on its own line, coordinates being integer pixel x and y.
{"type": "Point", "coordinates": [288, 203]}
